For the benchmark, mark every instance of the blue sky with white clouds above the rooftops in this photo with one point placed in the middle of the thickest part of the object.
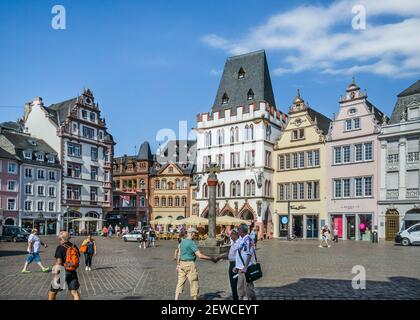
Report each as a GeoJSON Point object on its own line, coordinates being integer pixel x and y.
{"type": "Point", "coordinates": [151, 64]}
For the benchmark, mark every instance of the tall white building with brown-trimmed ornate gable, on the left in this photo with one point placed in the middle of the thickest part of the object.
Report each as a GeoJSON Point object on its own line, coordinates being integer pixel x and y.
{"type": "Point", "coordinates": [75, 130]}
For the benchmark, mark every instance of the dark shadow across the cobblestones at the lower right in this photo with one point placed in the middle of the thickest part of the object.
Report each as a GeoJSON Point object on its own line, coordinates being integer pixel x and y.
{"type": "Point", "coordinates": [397, 288]}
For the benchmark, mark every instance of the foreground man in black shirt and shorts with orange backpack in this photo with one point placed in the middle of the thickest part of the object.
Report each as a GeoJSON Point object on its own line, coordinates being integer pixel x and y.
{"type": "Point", "coordinates": [66, 261]}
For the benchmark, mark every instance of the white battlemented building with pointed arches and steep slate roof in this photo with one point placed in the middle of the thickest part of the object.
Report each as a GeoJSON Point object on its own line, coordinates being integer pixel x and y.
{"type": "Point", "coordinates": [239, 135]}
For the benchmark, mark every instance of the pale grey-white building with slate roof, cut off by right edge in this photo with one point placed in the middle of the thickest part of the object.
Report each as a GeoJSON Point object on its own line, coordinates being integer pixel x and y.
{"type": "Point", "coordinates": [399, 199]}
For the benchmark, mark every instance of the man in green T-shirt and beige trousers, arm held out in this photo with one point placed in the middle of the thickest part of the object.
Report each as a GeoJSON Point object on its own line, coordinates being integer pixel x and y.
{"type": "Point", "coordinates": [186, 268]}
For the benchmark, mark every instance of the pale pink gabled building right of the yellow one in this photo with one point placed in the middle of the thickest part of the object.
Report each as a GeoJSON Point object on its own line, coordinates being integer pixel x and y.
{"type": "Point", "coordinates": [353, 155]}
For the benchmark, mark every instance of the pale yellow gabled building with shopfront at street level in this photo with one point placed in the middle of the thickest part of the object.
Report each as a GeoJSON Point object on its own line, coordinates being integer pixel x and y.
{"type": "Point", "coordinates": [300, 177]}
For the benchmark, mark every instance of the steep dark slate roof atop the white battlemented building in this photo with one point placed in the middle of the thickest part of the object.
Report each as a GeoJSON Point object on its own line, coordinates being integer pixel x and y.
{"type": "Point", "coordinates": [257, 78]}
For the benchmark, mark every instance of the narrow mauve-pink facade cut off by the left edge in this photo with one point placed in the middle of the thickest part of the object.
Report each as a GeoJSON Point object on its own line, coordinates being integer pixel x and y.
{"type": "Point", "coordinates": [9, 188]}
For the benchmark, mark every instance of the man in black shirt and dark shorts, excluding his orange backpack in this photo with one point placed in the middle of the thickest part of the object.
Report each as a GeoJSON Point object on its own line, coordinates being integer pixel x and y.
{"type": "Point", "coordinates": [71, 278]}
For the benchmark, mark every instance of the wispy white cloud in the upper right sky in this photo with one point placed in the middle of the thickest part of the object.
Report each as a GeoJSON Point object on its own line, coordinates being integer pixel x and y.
{"type": "Point", "coordinates": [322, 38]}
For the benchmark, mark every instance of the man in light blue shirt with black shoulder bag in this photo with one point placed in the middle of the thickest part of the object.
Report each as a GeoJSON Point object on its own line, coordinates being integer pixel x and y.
{"type": "Point", "coordinates": [245, 257]}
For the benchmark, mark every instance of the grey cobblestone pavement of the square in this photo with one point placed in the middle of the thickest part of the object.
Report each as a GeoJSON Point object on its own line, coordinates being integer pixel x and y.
{"type": "Point", "coordinates": [292, 270]}
